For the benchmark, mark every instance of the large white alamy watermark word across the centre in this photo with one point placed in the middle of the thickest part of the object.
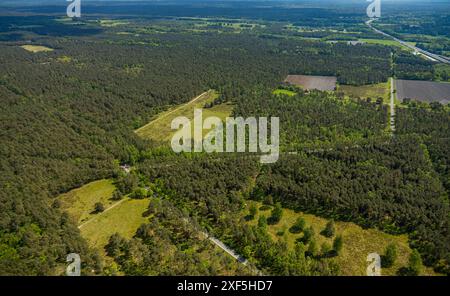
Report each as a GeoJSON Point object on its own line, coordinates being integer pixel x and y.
{"type": "Point", "coordinates": [239, 133]}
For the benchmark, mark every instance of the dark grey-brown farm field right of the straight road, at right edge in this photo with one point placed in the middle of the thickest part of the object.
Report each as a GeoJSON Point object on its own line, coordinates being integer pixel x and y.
{"type": "Point", "coordinates": [426, 91]}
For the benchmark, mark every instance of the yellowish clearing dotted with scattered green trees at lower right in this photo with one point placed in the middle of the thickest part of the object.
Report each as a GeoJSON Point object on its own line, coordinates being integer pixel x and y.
{"type": "Point", "coordinates": [358, 242]}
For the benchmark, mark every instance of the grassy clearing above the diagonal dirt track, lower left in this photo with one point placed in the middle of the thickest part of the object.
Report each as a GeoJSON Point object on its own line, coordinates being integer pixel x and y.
{"type": "Point", "coordinates": [80, 202]}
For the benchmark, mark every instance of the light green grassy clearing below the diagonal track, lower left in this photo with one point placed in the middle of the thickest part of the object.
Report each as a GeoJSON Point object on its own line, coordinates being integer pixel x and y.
{"type": "Point", "coordinates": [124, 219]}
